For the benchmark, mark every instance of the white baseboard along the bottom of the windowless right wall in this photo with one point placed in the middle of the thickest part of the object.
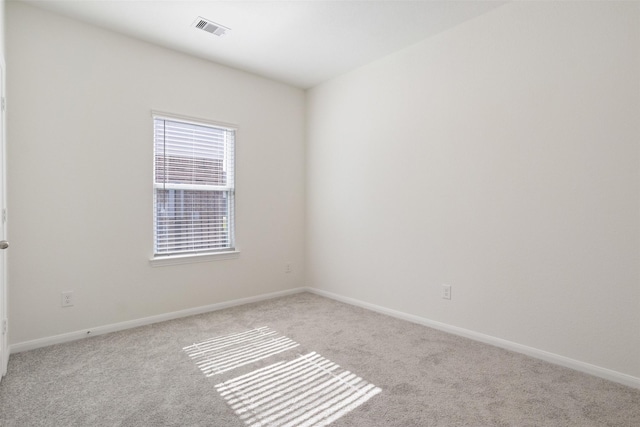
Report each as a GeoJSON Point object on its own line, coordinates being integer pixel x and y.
{"type": "Point", "coordinates": [557, 359]}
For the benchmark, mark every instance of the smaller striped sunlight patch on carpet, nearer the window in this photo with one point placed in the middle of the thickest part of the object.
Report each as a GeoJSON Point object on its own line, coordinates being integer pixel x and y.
{"type": "Point", "coordinates": [222, 354]}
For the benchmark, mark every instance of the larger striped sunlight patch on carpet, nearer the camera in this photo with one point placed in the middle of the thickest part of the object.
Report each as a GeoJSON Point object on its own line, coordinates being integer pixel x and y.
{"type": "Point", "coordinates": [307, 391]}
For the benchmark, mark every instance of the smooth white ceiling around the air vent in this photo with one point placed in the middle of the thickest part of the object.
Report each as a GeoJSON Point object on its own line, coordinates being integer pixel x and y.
{"type": "Point", "coordinates": [302, 43]}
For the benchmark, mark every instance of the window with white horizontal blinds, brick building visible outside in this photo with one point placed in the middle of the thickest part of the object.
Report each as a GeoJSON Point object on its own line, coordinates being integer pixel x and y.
{"type": "Point", "coordinates": [193, 187]}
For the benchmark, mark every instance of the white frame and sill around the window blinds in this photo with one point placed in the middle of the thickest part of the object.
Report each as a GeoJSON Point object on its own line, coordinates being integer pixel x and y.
{"type": "Point", "coordinates": [162, 259]}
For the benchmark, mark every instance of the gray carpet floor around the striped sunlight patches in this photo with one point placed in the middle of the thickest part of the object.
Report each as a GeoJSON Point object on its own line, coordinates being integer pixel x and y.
{"type": "Point", "coordinates": [143, 377]}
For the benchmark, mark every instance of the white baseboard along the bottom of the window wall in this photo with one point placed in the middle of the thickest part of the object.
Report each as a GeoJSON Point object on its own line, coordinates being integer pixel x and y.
{"type": "Point", "coordinates": [101, 330]}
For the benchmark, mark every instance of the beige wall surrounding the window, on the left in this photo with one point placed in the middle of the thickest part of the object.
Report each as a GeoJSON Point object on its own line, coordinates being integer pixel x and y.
{"type": "Point", "coordinates": [80, 176]}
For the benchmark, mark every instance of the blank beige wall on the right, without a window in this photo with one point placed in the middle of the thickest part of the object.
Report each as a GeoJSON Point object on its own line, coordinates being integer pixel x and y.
{"type": "Point", "coordinates": [499, 157]}
